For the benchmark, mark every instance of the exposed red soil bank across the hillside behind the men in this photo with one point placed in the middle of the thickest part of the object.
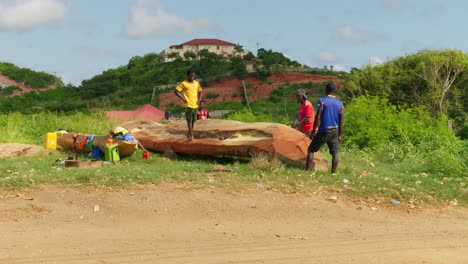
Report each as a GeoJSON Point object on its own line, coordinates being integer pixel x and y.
{"type": "Point", "coordinates": [231, 89]}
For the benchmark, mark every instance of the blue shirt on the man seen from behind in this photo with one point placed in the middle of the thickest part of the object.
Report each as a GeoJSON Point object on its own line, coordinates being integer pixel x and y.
{"type": "Point", "coordinates": [331, 108]}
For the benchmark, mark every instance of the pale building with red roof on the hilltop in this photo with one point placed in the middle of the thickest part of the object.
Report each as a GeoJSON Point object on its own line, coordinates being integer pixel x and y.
{"type": "Point", "coordinates": [190, 50]}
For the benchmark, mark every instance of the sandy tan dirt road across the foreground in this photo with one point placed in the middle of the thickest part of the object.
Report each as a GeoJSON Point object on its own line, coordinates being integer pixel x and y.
{"type": "Point", "coordinates": [169, 224]}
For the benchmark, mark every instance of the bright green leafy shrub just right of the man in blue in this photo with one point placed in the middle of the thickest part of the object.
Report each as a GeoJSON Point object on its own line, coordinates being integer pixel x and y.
{"type": "Point", "coordinates": [404, 133]}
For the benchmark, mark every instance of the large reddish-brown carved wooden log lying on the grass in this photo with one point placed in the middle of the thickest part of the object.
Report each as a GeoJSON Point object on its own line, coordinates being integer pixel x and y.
{"type": "Point", "coordinates": [226, 137]}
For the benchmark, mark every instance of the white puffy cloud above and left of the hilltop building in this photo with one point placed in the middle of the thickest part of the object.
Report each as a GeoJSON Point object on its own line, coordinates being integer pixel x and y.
{"type": "Point", "coordinates": [144, 23]}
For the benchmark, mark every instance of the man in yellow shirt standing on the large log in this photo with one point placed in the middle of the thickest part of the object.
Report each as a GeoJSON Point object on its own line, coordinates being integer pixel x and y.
{"type": "Point", "coordinates": [189, 91]}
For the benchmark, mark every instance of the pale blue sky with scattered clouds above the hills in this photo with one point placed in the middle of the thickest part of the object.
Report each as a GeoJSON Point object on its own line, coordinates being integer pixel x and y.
{"type": "Point", "coordinates": [78, 39]}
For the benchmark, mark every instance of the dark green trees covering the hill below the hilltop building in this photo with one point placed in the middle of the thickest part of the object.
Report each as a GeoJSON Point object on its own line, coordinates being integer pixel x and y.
{"type": "Point", "coordinates": [129, 86]}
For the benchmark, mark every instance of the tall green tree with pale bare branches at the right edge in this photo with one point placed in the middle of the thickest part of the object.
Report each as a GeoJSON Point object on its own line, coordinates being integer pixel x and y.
{"type": "Point", "coordinates": [431, 78]}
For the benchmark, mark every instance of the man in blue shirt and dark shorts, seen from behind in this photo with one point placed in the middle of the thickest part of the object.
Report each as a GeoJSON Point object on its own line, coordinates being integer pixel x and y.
{"type": "Point", "coordinates": [329, 117]}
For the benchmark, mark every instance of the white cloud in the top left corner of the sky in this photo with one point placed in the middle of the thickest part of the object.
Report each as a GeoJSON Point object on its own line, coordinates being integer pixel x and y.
{"type": "Point", "coordinates": [27, 14]}
